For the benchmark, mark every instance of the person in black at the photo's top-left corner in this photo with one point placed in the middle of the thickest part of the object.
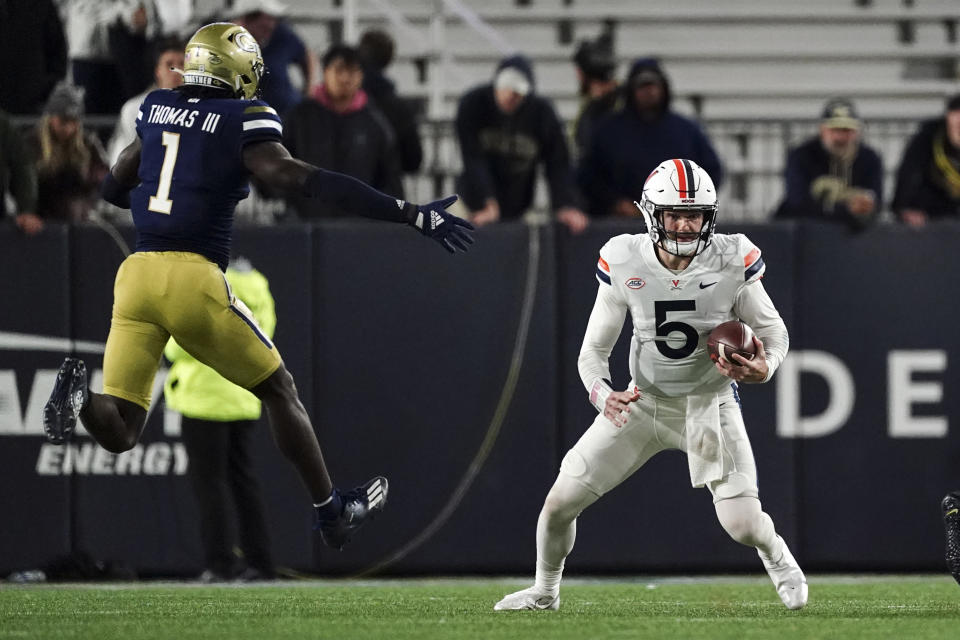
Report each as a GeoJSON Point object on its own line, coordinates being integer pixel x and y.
{"type": "Point", "coordinates": [32, 35]}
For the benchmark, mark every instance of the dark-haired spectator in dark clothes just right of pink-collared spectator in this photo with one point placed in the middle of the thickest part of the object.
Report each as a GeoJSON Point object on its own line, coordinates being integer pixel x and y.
{"type": "Point", "coordinates": [376, 53]}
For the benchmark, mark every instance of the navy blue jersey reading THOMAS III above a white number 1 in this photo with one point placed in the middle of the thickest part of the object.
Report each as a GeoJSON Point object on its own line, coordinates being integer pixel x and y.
{"type": "Point", "coordinates": [191, 169]}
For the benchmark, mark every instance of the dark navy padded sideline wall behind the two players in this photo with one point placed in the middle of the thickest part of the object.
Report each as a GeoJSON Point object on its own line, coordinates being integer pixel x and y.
{"type": "Point", "coordinates": [400, 353]}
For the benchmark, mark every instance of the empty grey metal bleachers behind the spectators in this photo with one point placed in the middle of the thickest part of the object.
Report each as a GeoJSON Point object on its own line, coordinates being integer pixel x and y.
{"type": "Point", "coordinates": [755, 72]}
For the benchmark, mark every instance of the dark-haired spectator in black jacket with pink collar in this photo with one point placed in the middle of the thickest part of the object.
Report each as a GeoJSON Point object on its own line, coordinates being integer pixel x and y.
{"type": "Point", "coordinates": [338, 129]}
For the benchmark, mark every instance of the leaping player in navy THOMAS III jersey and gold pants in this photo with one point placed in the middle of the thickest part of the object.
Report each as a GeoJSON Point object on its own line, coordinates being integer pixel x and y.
{"type": "Point", "coordinates": [182, 177]}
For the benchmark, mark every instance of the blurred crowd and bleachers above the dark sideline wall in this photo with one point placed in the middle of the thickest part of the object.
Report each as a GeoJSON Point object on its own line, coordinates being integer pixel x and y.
{"type": "Point", "coordinates": [846, 112]}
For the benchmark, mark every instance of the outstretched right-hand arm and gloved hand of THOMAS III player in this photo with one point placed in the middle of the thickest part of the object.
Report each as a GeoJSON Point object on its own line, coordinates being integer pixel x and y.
{"type": "Point", "coordinates": [272, 163]}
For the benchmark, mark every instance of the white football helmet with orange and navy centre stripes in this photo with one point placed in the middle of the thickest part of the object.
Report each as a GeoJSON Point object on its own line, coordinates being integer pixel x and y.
{"type": "Point", "coordinates": [679, 185]}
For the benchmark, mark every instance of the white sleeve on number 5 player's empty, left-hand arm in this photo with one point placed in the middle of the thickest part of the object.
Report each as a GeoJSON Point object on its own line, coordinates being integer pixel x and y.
{"type": "Point", "coordinates": [603, 329]}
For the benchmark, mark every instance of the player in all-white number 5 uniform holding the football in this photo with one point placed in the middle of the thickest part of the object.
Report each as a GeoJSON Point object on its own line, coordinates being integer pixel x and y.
{"type": "Point", "coordinates": [678, 281]}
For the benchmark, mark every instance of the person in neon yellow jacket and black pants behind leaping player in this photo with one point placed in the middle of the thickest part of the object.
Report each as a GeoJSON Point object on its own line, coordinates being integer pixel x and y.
{"type": "Point", "coordinates": [217, 427]}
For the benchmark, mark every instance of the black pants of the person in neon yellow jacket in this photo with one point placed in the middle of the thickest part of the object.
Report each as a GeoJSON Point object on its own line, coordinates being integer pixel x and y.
{"type": "Point", "coordinates": [221, 472]}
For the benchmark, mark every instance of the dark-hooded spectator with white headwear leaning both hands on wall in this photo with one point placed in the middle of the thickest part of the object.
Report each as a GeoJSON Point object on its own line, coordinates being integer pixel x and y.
{"type": "Point", "coordinates": [505, 131]}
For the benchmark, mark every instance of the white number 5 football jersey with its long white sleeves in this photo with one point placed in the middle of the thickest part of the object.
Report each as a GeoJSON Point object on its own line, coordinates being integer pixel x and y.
{"type": "Point", "coordinates": [673, 313]}
